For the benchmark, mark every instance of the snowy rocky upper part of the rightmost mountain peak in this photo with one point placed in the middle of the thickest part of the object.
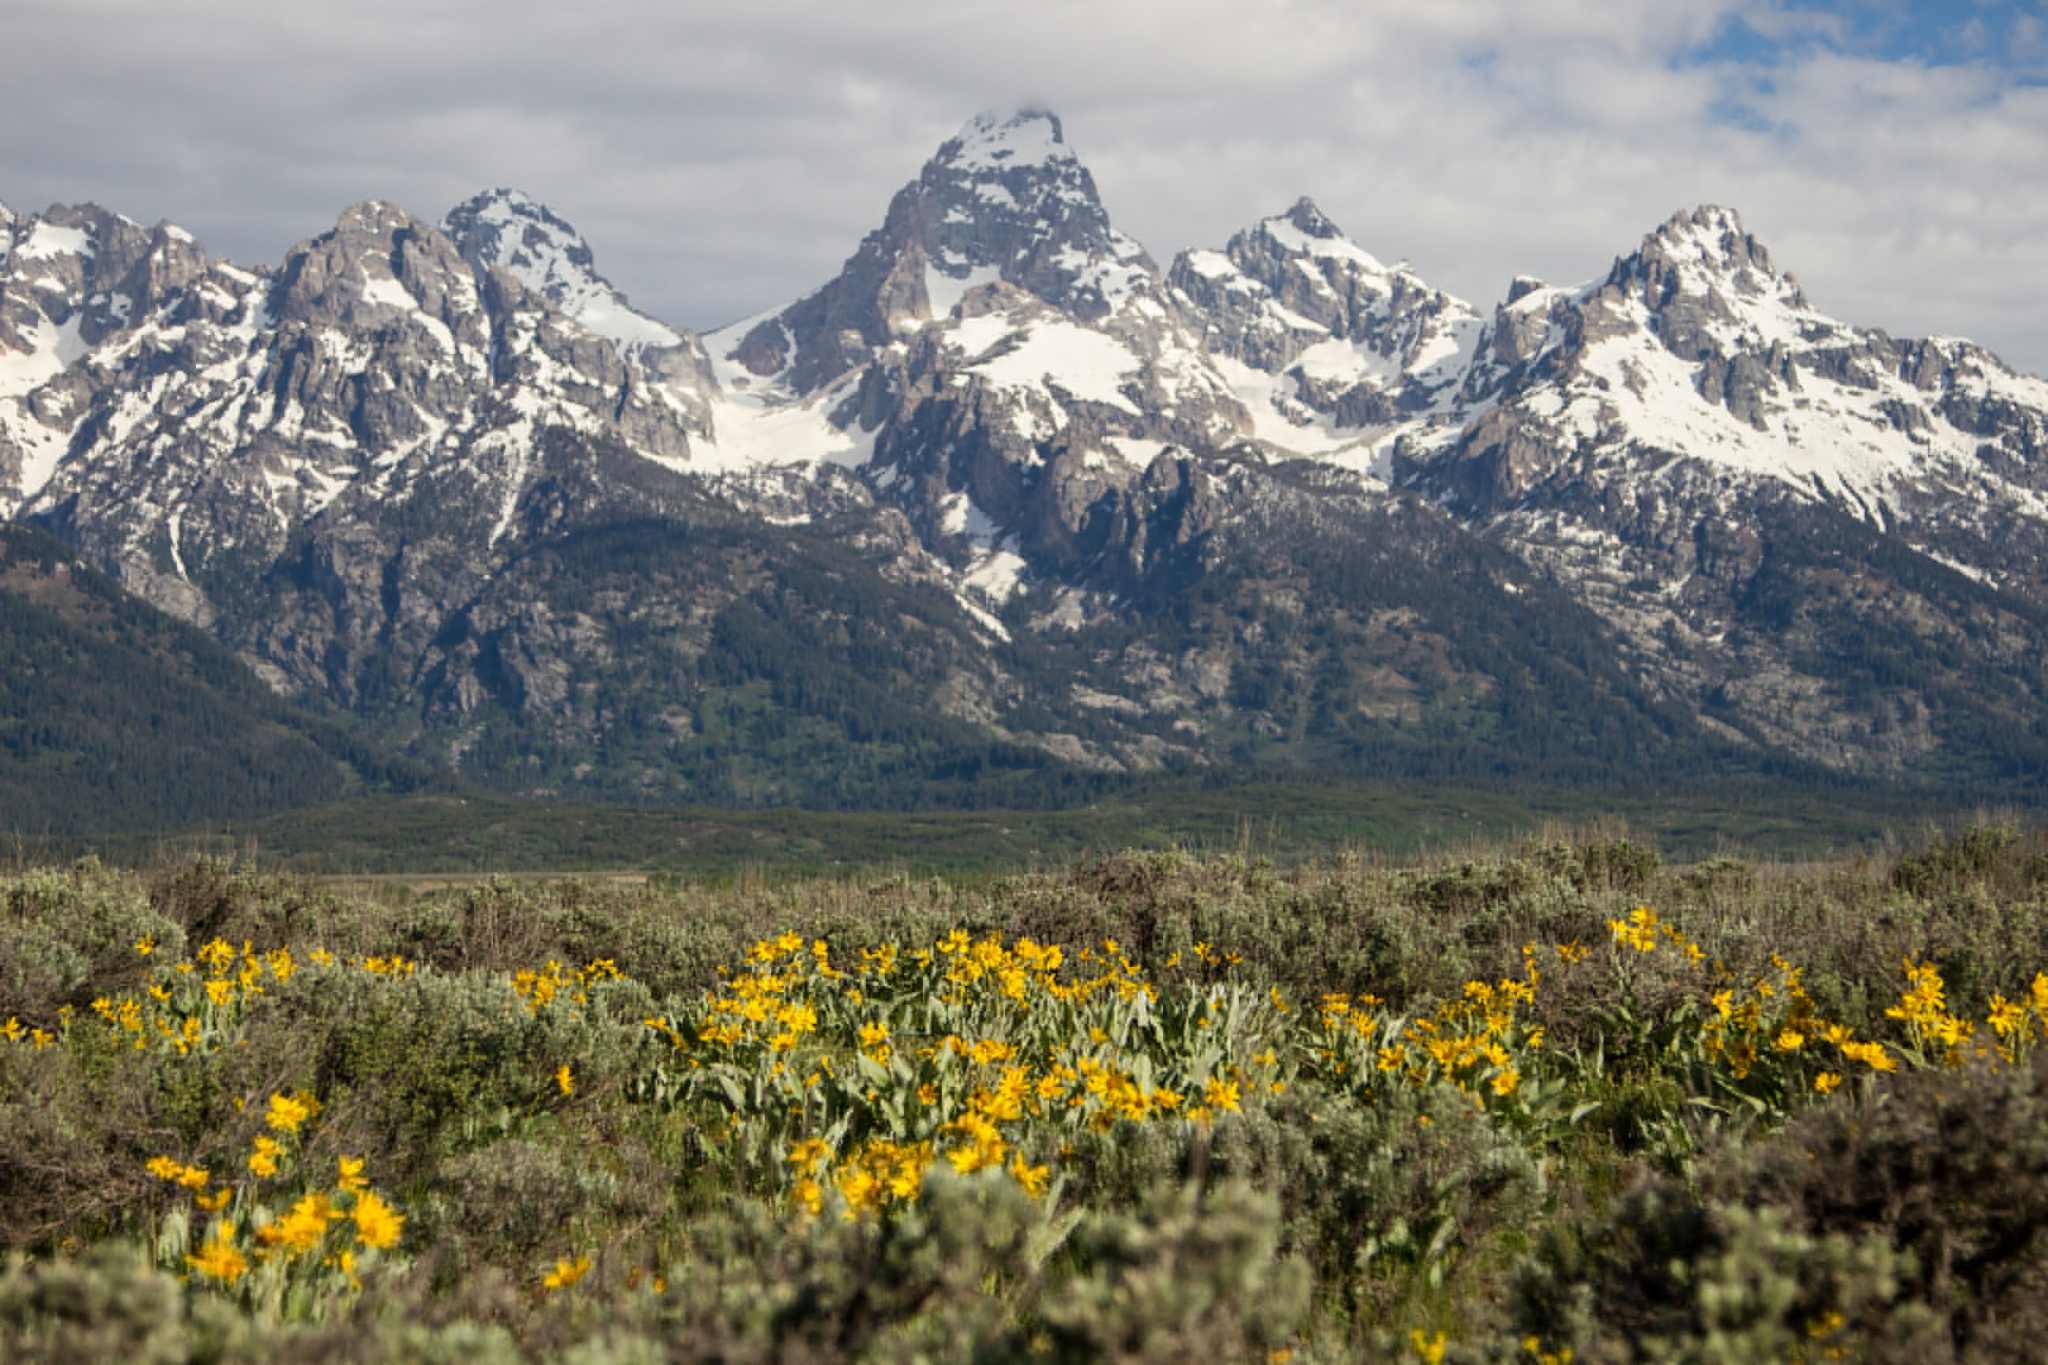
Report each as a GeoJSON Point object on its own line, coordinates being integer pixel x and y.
{"type": "Point", "coordinates": [1697, 357]}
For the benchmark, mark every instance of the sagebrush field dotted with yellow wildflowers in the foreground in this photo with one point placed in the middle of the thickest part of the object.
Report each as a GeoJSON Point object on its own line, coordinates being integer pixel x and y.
{"type": "Point", "coordinates": [1562, 1104]}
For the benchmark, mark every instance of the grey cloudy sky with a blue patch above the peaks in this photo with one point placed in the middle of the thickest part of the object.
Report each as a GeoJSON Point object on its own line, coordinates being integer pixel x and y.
{"type": "Point", "coordinates": [724, 159]}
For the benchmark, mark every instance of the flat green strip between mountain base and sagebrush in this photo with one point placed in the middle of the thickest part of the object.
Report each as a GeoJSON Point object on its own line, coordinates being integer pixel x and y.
{"type": "Point", "coordinates": [447, 834]}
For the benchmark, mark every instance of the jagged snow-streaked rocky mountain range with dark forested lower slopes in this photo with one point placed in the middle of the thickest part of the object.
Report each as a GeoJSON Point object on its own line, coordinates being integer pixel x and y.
{"type": "Point", "coordinates": [1007, 513]}
